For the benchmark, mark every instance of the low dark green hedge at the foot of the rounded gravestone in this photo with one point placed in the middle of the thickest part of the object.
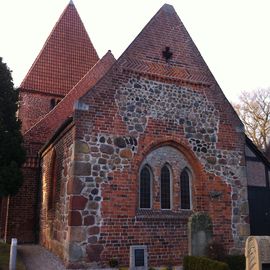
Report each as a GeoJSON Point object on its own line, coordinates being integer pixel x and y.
{"type": "Point", "coordinates": [203, 263]}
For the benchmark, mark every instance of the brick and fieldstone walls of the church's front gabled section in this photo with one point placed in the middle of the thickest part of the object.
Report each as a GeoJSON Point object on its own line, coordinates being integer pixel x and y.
{"type": "Point", "coordinates": [145, 107]}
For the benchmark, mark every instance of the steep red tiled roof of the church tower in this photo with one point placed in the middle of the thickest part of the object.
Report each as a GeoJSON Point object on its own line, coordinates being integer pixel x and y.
{"type": "Point", "coordinates": [65, 57]}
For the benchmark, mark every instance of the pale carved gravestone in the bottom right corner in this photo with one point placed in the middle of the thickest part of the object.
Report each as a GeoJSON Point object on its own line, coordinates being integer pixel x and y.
{"type": "Point", "coordinates": [257, 252]}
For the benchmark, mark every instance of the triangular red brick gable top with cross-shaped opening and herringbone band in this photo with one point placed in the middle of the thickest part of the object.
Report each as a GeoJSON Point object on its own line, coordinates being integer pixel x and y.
{"type": "Point", "coordinates": [165, 33]}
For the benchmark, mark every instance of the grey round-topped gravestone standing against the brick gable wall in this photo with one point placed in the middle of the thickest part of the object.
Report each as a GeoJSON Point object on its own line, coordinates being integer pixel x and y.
{"type": "Point", "coordinates": [200, 233]}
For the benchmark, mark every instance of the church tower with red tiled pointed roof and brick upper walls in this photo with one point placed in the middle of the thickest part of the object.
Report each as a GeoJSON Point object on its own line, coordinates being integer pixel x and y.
{"type": "Point", "coordinates": [65, 58]}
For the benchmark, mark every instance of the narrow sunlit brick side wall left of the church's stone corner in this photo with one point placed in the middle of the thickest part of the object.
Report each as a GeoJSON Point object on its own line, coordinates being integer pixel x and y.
{"type": "Point", "coordinates": [55, 173]}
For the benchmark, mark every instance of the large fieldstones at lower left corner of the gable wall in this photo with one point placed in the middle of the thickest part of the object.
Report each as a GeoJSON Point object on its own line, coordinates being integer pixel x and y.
{"type": "Point", "coordinates": [96, 158]}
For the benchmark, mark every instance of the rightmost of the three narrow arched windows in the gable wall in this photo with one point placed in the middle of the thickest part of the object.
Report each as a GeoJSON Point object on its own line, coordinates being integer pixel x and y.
{"type": "Point", "coordinates": [185, 190]}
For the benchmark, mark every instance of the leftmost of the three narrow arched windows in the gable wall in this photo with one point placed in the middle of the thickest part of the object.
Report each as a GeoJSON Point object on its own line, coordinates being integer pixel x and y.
{"type": "Point", "coordinates": [145, 188]}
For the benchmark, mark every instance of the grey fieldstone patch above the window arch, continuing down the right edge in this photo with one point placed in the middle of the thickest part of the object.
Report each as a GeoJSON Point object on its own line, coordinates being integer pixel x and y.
{"type": "Point", "coordinates": [141, 99]}
